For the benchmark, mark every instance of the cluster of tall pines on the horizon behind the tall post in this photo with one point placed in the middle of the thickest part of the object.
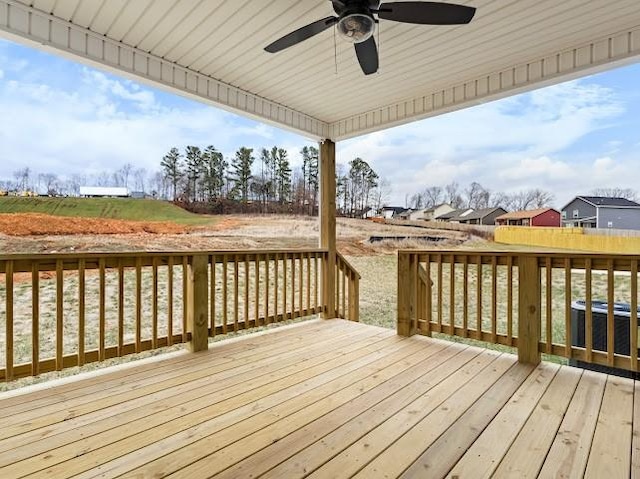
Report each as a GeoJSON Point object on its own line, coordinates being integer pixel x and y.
{"type": "Point", "coordinates": [264, 181]}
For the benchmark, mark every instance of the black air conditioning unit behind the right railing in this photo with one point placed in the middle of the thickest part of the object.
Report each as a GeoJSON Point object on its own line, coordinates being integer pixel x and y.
{"type": "Point", "coordinates": [599, 314]}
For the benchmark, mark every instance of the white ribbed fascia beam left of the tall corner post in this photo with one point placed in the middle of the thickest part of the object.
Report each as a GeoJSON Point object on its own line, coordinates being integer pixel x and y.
{"type": "Point", "coordinates": [27, 25]}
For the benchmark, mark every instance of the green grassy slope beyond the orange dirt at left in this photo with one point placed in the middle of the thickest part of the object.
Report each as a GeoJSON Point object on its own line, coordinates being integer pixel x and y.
{"type": "Point", "coordinates": [112, 208]}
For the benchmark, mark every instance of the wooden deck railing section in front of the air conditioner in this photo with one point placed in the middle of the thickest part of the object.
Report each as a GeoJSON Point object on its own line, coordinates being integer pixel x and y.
{"type": "Point", "coordinates": [524, 300]}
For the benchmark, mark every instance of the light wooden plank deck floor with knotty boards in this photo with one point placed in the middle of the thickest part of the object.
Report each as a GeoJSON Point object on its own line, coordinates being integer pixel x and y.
{"type": "Point", "coordinates": [327, 399]}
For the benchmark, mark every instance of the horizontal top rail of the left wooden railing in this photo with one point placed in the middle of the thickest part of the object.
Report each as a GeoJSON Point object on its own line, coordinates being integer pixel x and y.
{"type": "Point", "coordinates": [150, 254]}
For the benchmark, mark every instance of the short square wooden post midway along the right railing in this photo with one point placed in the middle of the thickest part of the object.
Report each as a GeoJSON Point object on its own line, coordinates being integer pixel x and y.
{"type": "Point", "coordinates": [529, 309]}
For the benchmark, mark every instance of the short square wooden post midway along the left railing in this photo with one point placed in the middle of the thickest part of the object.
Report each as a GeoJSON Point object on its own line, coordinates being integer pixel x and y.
{"type": "Point", "coordinates": [198, 303]}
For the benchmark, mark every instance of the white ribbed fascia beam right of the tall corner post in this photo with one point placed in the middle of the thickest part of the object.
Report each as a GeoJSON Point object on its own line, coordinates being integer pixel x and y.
{"type": "Point", "coordinates": [601, 54]}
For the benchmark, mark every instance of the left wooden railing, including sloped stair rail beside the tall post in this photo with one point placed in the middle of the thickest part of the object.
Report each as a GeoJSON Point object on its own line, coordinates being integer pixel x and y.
{"type": "Point", "coordinates": [63, 310]}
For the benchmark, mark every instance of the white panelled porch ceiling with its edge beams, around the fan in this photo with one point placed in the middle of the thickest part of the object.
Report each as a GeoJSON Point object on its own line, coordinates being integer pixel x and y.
{"type": "Point", "coordinates": [213, 50]}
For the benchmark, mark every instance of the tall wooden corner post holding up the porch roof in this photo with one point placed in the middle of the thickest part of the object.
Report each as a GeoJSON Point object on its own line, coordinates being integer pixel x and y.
{"type": "Point", "coordinates": [328, 225]}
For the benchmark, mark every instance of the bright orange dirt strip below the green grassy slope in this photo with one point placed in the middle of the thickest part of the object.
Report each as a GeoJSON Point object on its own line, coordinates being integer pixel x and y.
{"type": "Point", "coordinates": [35, 224]}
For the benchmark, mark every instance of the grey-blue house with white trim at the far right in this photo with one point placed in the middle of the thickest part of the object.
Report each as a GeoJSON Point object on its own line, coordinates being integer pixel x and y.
{"type": "Point", "coordinates": [601, 212]}
